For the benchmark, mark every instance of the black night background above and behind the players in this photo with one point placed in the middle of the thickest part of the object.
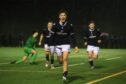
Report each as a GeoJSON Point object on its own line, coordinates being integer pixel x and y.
{"type": "Point", "coordinates": [18, 18]}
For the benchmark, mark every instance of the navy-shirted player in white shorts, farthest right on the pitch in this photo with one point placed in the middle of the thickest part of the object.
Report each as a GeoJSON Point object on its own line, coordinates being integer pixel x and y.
{"type": "Point", "coordinates": [92, 40]}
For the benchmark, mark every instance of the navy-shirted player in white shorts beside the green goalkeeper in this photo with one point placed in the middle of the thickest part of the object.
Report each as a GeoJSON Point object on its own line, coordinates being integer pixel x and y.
{"type": "Point", "coordinates": [47, 36]}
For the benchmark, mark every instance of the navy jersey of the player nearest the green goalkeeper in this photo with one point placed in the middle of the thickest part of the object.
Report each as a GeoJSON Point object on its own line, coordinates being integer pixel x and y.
{"type": "Point", "coordinates": [48, 37]}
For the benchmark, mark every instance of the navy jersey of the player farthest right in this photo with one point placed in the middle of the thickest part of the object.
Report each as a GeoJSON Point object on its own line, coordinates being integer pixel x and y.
{"type": "Point", "coordinates": [91, 36]}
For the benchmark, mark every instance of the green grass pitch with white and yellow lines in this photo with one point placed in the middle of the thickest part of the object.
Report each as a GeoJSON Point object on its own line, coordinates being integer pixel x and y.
{"type": "Point", "coordinates": [110, 68]}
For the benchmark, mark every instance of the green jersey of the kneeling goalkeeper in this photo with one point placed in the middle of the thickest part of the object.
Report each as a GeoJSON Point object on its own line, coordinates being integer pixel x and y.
{"type": "Point", "coordinates": [31, 42]}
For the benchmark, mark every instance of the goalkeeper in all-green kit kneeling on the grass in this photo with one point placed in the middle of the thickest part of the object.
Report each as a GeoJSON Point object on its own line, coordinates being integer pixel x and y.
{"type": "Point", "coordinates": [29, 50]}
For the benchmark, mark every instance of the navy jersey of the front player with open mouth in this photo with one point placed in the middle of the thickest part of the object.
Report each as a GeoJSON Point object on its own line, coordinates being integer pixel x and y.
{"type": "Point", "coordinates": [64, 34]}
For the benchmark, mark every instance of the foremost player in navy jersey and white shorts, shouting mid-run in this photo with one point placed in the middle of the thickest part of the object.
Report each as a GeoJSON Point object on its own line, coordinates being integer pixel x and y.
{"type": "Point", "coordinates": [63, 33]}
